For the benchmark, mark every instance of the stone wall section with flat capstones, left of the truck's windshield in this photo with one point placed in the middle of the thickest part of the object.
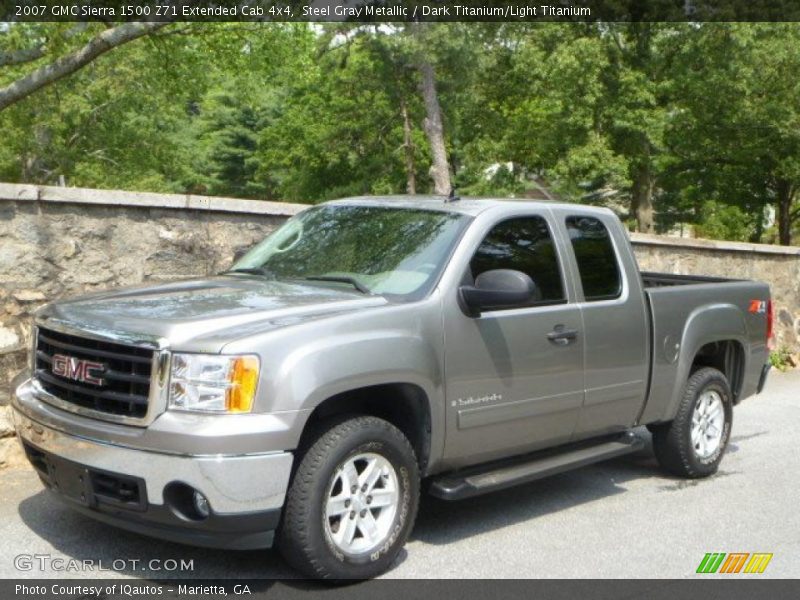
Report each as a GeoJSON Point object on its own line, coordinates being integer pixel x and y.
{"type": "Point", "coordinates": [58, 242]}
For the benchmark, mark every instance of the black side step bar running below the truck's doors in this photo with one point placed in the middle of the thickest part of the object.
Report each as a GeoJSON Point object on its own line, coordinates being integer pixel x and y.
{"type": "Point", "coordinates": [511, 472]}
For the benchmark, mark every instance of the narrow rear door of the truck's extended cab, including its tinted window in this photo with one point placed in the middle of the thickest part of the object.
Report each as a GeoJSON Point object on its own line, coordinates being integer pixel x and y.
{"type": "Point", "coordinates": [615, 325]}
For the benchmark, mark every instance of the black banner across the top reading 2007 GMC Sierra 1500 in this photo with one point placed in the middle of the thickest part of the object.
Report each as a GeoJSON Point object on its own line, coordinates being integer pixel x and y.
{"type": "Point", "coordinates": [366, 11]}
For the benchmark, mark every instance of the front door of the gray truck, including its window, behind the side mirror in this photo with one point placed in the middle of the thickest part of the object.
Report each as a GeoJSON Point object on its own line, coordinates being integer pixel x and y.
{"type": "Point", "coordinates": [514, 376]}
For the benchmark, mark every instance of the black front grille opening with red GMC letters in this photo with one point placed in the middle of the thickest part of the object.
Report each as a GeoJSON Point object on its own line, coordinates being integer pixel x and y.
{"type": "Point", "coordinates": [103, 376]}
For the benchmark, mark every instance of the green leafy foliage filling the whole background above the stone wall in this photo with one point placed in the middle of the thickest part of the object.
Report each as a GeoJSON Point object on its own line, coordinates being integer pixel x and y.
{"type": "Point", "coordinates": [698, 124]}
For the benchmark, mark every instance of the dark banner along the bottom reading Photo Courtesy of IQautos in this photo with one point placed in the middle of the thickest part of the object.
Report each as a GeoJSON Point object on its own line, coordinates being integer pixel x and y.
{"type": "Point", "coordinates": [126, 589]}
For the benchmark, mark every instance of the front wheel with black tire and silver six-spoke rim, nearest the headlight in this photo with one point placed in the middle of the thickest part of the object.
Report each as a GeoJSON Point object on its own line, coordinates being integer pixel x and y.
{"type": "Point", "coordinates": [315, 542]}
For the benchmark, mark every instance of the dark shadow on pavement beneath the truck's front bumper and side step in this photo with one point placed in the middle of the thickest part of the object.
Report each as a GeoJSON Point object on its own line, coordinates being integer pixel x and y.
{"type": "Point", "coordinates": [439, 522]}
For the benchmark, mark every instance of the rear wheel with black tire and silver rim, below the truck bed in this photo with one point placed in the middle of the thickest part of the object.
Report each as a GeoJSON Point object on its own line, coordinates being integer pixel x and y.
{"type": "Point", "coordinates": [695, 452]}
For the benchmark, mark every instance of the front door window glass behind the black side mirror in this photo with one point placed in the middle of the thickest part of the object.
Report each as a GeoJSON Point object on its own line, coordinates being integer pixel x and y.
{"type": "Point", "coordinates": [523, 244]}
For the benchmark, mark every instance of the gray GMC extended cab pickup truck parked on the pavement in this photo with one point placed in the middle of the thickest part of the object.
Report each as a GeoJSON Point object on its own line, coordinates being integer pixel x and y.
{"type": "Point", "coordinates": [371, 346]}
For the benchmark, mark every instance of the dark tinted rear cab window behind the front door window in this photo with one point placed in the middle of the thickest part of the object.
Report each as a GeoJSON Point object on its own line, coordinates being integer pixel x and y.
{"type": "Point", "coordinates": [596, 258]}
